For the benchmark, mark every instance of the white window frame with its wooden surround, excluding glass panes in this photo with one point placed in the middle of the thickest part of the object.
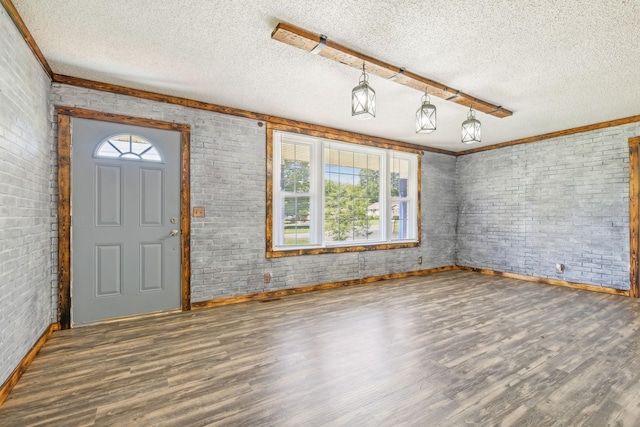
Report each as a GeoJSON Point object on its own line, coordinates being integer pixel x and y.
{"type": "Point", "coordinates": [356, 144]}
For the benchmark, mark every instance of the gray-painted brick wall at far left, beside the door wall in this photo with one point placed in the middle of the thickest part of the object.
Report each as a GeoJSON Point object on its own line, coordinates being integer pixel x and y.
{"type": "Point", "coordinates": [25, 217]}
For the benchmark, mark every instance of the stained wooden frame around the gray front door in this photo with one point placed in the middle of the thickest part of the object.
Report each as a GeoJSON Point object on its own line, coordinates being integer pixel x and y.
{"type": "Point", "coordinates": [64, 200]}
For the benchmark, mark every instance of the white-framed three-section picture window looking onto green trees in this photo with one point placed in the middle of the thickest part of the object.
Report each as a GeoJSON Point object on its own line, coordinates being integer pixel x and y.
{"type": "Point", "coordinates": [330, 195]}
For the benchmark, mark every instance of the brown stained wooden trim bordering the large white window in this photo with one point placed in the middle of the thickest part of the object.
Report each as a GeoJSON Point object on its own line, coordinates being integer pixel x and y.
{"type": "Point", "coordinates": [271, 253]}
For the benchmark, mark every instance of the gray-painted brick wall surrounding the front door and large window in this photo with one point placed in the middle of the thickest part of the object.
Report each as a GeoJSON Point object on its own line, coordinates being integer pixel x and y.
{"type": "Point", "coordinates": [228, 179]}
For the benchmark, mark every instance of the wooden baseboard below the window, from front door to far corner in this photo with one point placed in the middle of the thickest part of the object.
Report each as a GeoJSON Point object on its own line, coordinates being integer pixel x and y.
{"type": "Point", "coordinates": [312, 288]}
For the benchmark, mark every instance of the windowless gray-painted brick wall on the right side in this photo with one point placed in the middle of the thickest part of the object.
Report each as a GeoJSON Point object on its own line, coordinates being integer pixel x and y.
{"type": "Point", "coordinates": [524, 208]}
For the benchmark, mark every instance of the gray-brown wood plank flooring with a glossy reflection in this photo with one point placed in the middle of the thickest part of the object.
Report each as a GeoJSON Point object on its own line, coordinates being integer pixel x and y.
{"type": "Point", "coordinates": [451, 349]}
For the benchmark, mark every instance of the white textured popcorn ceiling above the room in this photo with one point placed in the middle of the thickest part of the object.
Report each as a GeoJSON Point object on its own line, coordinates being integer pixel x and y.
{"type": "Point", "coordinates": [555, 64]}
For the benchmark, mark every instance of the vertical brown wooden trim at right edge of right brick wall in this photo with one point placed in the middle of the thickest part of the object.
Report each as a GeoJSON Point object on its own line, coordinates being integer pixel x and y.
{"type": "Point", "coordinates": [634, 218]}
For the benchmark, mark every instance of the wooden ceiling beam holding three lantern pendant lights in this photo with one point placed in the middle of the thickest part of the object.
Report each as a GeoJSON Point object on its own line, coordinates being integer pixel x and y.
{"type": "Point", "coordinates": [321, 46]}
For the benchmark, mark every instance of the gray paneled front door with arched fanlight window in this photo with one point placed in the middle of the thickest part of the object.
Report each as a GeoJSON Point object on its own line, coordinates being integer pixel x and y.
{"type": "Point", "coordinates": [125, 220]}
